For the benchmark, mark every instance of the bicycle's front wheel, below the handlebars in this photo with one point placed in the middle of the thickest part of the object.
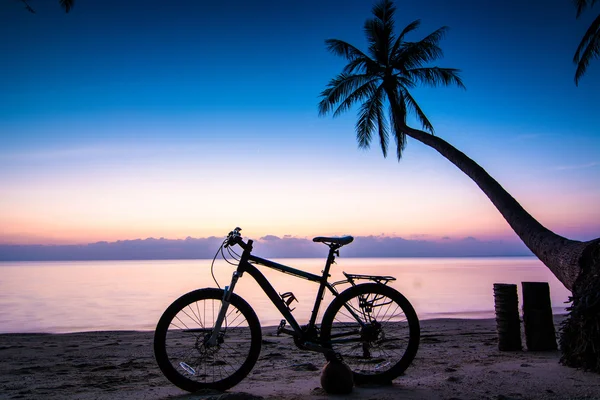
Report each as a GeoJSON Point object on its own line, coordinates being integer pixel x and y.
{"type": "Point", "coordinates": [181, 341]}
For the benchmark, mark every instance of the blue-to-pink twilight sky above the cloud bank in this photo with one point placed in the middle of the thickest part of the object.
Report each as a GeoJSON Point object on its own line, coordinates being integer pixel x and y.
{"type": "Point", "coordinates": [127, 120]}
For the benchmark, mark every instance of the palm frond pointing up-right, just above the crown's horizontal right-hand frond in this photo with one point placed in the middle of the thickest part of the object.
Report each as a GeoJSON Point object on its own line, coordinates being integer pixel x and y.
{"type": "Point", "coordinates": [416, 54]}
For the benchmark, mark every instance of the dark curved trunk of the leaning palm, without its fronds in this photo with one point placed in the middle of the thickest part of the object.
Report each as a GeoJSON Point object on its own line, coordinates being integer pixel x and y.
{"type": "Point", "coordinates": [576, 264]}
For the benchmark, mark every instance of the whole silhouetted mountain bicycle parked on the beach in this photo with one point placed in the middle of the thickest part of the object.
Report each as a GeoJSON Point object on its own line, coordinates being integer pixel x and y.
{"type": "Point", "coordinates": [211, 338]}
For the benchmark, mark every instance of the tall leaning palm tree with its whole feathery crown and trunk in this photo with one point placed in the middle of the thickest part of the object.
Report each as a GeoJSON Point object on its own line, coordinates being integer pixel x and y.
{"type": "Point", "coordinates": [381, 80]}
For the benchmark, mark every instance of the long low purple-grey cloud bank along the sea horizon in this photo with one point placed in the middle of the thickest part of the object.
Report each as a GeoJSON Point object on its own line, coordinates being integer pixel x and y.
{"type": "Point", "coordinates": [267, 246]}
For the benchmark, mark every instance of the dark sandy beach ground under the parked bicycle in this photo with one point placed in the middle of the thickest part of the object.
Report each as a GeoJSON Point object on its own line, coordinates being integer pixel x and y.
{"type": "Point", "coordinates": [457, 359]}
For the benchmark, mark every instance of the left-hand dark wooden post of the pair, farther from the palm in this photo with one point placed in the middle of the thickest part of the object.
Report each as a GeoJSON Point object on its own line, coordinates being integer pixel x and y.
{"type": "Point", "coordinates": [508, 324]}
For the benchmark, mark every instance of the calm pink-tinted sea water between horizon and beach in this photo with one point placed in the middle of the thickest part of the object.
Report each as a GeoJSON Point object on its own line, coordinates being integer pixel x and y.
{"type": "Point", "coordinates": [131, 295]}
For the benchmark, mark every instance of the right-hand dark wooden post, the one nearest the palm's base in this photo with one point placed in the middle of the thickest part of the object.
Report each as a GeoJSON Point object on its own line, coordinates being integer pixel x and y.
{"type": "Point", "coordinates": [537, 317]}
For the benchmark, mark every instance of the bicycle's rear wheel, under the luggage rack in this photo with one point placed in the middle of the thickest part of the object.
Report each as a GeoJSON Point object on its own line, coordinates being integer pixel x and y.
{"type": "Point", "coordinates": [375, 330]}
